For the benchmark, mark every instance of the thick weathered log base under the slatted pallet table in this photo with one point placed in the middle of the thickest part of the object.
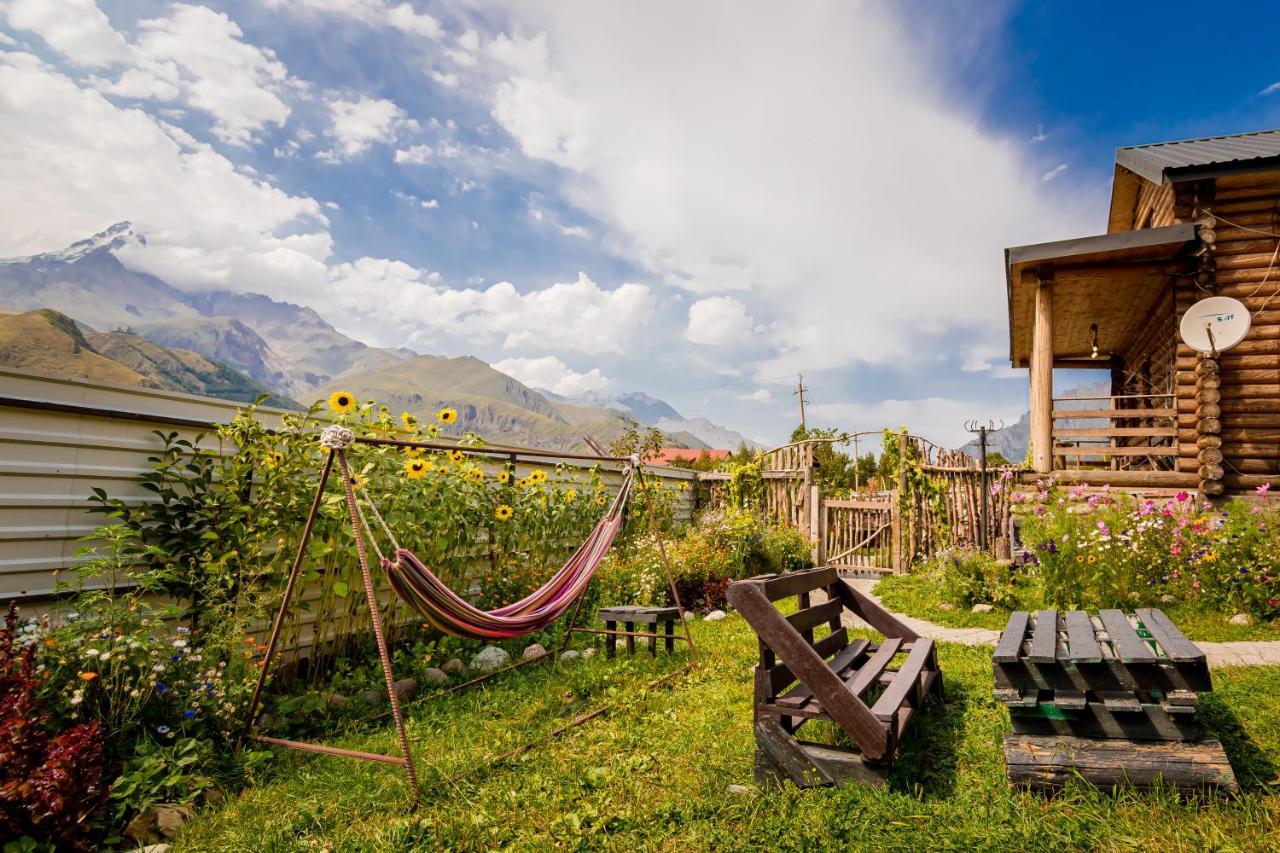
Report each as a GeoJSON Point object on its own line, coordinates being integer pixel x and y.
{"type": "Point", "coordinates": [1049, 763]}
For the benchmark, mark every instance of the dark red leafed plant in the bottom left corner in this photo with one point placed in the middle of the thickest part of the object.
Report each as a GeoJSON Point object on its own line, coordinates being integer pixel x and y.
{"type": "Point", "coordinates": [51, 784]}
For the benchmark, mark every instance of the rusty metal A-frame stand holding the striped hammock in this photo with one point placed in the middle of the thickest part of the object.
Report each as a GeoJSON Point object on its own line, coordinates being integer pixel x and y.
{"type": "Point", "coordinates": [337, 440]}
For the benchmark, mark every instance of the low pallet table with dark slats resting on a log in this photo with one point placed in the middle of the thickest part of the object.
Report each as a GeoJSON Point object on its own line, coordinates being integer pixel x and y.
{"type": "Point", "coordinates": [1098, 696]}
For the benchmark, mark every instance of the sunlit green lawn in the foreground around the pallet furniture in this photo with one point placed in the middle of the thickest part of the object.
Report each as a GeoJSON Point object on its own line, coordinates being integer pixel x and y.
{"type": "Point", "coordinates": [655, 773]}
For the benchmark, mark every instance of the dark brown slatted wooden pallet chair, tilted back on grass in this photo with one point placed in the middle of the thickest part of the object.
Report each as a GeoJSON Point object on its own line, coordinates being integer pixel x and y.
{"type": "Point", "coordinates": [852, 683]}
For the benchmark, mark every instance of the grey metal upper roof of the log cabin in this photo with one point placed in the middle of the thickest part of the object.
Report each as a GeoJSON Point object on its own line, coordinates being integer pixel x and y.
{"type": "Point", "coordinates": [1205, 158]}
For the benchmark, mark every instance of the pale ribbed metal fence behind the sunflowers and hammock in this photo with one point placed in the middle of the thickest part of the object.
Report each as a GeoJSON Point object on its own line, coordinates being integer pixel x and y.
{"type": "Point", "coordinates": [61, 437]}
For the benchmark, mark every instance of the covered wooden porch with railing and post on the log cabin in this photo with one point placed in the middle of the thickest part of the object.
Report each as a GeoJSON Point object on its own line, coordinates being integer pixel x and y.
{"type": "Point", "coordinates": [1104, 304]}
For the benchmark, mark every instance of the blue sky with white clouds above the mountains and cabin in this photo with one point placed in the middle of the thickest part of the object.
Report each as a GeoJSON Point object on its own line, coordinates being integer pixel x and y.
{"type": "Point", "coordinates": [693, 200]}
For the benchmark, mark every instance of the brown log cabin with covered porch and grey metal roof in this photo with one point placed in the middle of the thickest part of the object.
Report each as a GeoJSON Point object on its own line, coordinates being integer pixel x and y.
{"type": "Point", "coordinates": [1188, 220]}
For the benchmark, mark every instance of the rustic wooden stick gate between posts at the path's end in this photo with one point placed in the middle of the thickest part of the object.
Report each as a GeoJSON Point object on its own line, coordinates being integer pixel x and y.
{"type": "Point", "coordinates": [862, 535]}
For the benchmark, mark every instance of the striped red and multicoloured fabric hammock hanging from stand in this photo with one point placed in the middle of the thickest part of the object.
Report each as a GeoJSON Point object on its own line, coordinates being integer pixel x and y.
{"type": "Point", "coordinates": [447, 612]}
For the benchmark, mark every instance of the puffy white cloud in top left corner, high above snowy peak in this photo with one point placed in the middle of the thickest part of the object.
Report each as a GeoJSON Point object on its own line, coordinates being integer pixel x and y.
{"type": "Point", "coordinates": [195, 56]}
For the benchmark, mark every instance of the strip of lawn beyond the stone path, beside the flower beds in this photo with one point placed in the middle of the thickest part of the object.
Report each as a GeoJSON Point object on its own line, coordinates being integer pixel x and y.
{"type": "Point", "coordinates": [920, 596]}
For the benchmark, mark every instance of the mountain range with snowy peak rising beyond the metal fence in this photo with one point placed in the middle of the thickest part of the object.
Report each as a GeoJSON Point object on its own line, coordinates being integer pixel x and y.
{"type": "Point", "coordinates": [83, 312]}
